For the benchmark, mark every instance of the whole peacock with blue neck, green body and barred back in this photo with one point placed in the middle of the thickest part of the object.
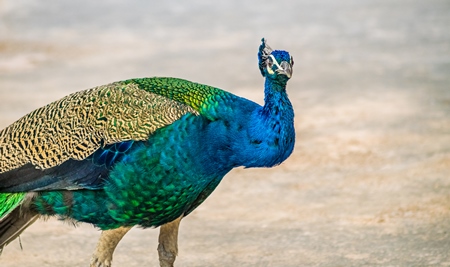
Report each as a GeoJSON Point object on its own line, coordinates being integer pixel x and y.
{"type": "Point", "coordinates": [141, 152]}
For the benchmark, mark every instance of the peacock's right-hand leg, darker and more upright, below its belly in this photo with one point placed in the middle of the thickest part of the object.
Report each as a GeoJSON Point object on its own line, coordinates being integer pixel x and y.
{"type": "Point", "coordinates": [168, 243]}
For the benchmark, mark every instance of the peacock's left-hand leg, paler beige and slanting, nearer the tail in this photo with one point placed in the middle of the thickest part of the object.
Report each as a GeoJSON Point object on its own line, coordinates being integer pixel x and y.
{"type": "Point", "coordinates": [108, 241]}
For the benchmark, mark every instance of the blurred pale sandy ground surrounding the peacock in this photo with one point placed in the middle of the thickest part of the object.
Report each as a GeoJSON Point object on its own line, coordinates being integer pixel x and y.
{"type": "Point", "coordinates": [368, 183]}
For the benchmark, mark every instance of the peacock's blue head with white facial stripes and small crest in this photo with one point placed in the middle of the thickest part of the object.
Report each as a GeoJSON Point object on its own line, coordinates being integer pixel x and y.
{"type": "Point", "coordinates": [275, 64]}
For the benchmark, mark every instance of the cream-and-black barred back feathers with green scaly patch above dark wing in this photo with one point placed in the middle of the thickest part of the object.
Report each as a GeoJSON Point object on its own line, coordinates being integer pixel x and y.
{"type": "Point", "coordinates": [77, 125]}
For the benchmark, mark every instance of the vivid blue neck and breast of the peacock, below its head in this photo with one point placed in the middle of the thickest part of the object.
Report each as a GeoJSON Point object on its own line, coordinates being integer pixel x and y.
{"type": "Point", "coordinates": [248, 134]}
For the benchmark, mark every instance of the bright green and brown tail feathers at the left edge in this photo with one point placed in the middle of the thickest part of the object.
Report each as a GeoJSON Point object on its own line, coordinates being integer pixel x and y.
{"type": "Point", "coordinates": [15, 216]}
